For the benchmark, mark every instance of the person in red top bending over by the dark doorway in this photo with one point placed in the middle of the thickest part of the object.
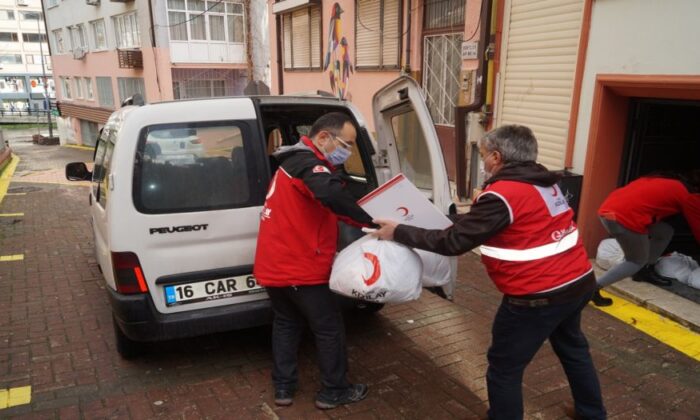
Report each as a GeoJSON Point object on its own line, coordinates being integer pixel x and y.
{"type": "Point", "coordinates": [634, 214]}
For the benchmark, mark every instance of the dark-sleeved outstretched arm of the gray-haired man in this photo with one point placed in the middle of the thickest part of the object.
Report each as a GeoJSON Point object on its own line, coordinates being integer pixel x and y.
{"type": "Point", "coordinates": [487, 217]}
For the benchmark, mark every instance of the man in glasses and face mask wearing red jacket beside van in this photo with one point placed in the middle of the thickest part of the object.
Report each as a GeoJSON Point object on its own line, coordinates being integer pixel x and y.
{"type": "Point", "coordinates": [295, 252]}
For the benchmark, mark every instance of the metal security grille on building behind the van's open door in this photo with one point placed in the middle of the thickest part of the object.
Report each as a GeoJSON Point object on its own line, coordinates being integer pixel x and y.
{"type": "Point", "coordinates": [441, 64]}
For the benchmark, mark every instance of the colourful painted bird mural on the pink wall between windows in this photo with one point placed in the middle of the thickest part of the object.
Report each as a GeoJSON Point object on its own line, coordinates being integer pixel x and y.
{"type": "Point", "coordinates": [337, 60]}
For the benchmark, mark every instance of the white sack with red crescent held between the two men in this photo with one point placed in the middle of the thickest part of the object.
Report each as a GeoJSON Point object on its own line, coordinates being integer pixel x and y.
{"type": "Point", "coordinates": [377, 271]}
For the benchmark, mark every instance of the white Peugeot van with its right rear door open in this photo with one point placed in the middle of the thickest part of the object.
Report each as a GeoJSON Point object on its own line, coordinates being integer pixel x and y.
{"type": "Point", "coordinates": [175, 225]}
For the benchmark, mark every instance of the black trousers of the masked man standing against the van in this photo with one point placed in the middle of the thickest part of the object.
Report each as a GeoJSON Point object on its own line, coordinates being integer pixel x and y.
{"type": "Point", "coordinates": [294, 307]}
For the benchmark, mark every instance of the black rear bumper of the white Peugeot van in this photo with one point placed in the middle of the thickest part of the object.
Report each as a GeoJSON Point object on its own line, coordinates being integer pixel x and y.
{"type": "Point", "coordinates": [139, 319]}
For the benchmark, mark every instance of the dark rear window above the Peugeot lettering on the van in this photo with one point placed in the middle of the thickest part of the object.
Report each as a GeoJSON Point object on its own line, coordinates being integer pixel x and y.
{"type": "Point", "coordinates": [193, 167]}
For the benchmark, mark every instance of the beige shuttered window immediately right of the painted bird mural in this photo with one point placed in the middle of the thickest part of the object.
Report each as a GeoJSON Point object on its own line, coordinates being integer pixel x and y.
{"type": "Point", "coordinates": [378, 34]}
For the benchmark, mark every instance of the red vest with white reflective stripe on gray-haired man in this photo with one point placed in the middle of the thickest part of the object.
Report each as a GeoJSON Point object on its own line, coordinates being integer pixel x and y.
{"type": "Point", "coordinates": [541, 249]}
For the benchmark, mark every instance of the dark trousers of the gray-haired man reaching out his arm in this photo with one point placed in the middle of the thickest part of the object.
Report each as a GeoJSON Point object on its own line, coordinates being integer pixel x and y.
{"type": "Point", "coordinates": [518, 333]}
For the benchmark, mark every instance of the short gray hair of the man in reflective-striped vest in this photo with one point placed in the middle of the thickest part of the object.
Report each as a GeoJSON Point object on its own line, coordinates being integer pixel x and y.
{"type": "Point", "coordinates": [515, 143]}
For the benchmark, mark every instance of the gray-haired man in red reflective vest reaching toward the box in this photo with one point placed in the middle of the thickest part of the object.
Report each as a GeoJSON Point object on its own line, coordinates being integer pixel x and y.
{"type": "Point", "coordinates": [532, 251]}
